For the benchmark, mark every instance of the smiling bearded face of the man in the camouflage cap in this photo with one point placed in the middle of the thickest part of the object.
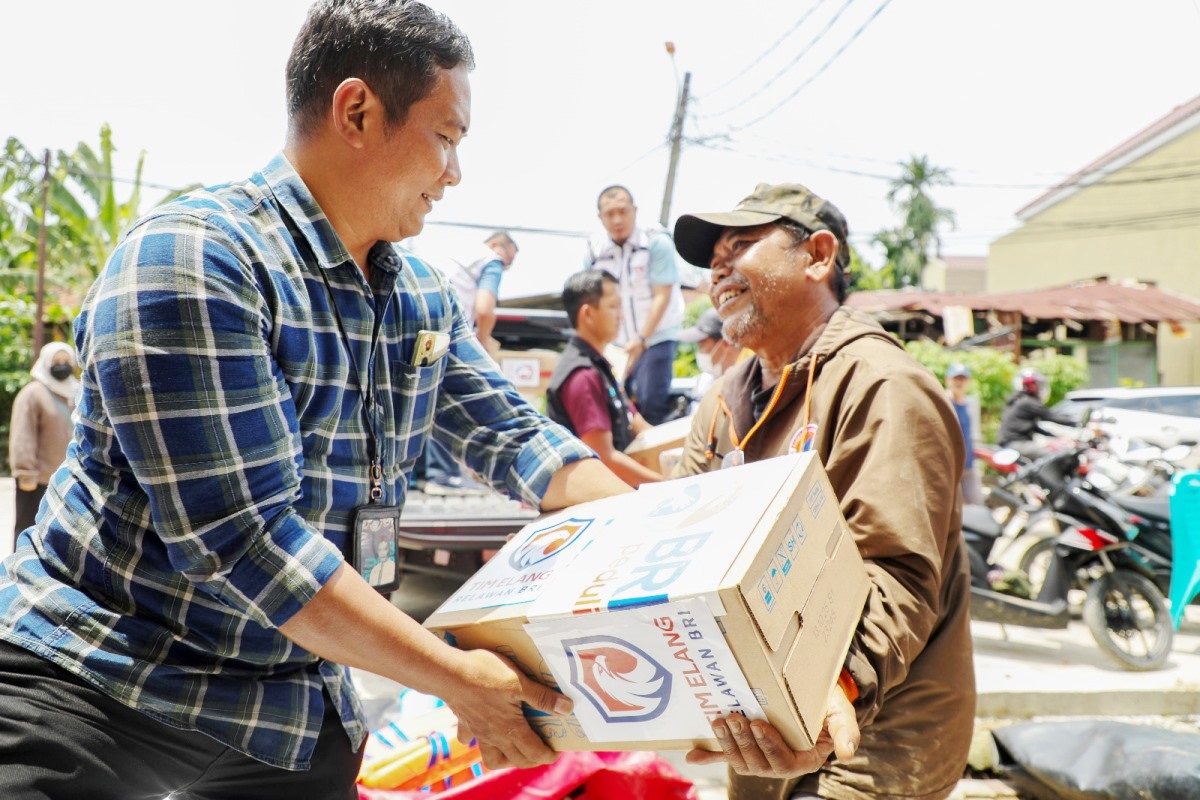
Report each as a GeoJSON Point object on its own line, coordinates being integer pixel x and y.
{"type": "Point", "coordinates": [759, 285]}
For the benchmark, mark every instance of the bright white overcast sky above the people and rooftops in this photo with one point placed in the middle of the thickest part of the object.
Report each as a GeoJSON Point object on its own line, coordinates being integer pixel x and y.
{"type": "Point", "coordinates": [1011, 97]}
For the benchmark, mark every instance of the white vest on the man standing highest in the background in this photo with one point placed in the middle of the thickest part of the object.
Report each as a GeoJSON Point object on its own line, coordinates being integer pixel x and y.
{"type": "Point", "coordinates": [631, 264]}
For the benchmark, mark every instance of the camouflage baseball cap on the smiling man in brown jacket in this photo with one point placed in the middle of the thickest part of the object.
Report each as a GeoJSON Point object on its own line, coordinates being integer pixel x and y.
{"type": "Point", "coordinates": [698, 233]}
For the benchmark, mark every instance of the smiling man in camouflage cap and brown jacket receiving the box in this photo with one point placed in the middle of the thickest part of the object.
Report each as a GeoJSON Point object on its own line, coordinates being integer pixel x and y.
{"type": "Point", "coordinates": [830, 380]}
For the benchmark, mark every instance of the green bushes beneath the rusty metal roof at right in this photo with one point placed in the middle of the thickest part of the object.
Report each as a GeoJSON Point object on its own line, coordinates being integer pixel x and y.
{"type": "Point", "coordinates": [993, 372]}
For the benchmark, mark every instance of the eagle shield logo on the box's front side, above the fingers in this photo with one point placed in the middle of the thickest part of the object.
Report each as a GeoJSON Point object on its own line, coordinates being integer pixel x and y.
{"type": "Point", "coordinates": [620, 679]}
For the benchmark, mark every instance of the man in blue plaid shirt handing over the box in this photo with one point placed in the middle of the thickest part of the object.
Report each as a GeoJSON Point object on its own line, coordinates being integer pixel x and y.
{"type": "Point", "coordinates": [182, 618]}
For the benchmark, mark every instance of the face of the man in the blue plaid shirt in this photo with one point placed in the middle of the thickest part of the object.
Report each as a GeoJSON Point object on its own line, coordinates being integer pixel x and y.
{"type": "Point", "coordinates": [413, 165]}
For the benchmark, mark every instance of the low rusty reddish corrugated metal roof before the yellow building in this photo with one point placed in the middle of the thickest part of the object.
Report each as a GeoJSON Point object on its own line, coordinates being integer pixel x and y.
{"type": "Point", "coordinates": [1133, 303]}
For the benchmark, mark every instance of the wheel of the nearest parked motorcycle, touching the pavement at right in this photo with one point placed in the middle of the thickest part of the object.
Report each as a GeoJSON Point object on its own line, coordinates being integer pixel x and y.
{"type": "Point", "coordinates": [1129, 618]}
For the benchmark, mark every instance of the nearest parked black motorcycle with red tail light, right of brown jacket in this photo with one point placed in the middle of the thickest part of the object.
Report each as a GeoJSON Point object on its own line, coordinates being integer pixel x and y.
{"type": "Point", "coordinates": [1096, 551]}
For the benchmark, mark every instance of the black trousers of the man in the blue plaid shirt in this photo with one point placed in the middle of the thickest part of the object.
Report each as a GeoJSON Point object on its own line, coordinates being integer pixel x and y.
{"type": "Point", "coordinates": [64, 741]}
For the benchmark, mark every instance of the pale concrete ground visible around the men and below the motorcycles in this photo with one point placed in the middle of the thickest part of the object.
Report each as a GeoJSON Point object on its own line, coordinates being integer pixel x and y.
{"type": "Point", "coordinates": [1021, 673]}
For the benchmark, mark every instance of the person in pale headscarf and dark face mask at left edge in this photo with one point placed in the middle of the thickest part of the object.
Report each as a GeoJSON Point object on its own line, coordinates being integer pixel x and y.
{"type": "Point", "coordinates": [41, 428]}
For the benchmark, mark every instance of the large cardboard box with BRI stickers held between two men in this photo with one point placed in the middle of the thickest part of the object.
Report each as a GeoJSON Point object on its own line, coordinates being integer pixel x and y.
{"type": "Point", "coordinates": [736, 591]}
